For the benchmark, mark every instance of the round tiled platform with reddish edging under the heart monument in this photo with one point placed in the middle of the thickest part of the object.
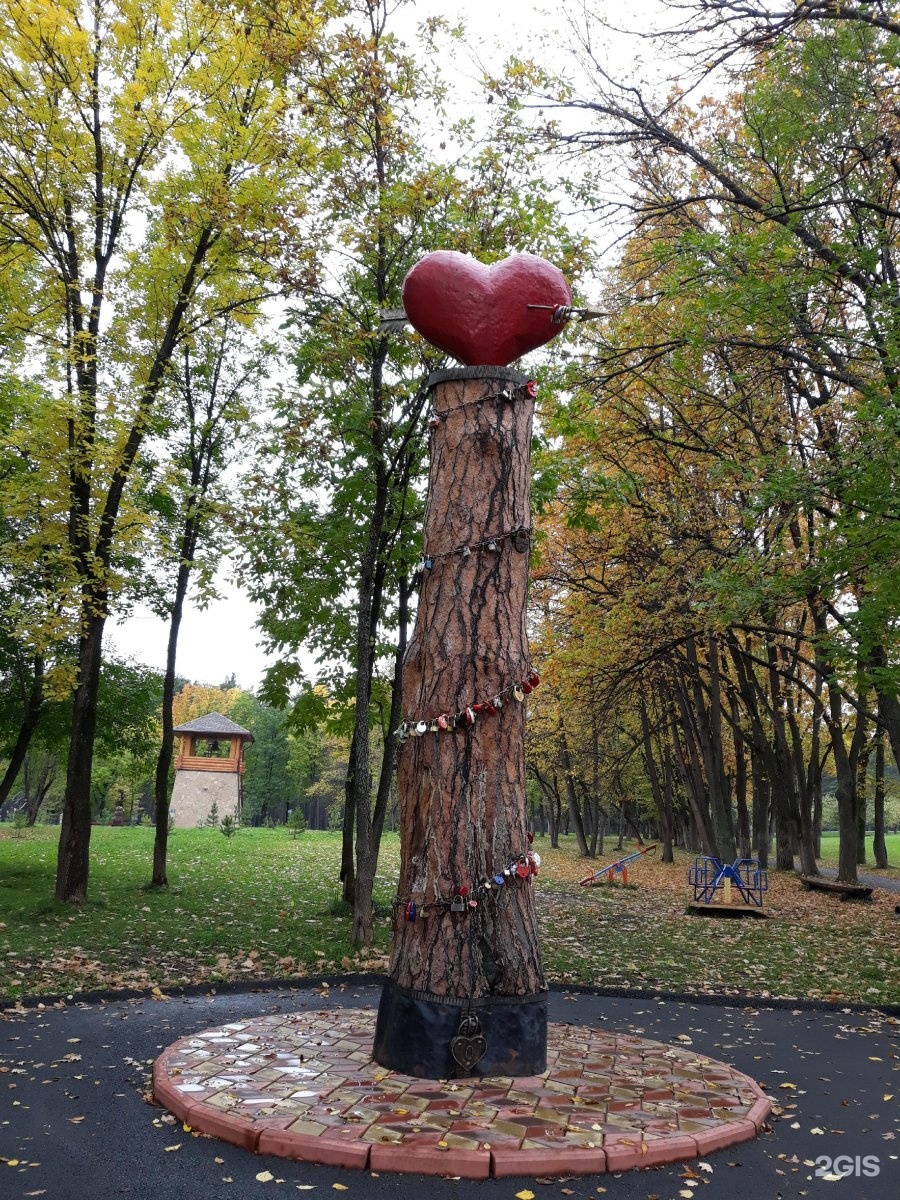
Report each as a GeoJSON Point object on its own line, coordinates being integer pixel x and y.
{"type": "Point", "coordinates": [305, 1087]}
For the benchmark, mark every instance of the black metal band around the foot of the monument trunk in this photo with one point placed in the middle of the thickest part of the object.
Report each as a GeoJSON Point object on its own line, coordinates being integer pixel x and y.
{"type": "Point", "coordinates": [419, 1035]}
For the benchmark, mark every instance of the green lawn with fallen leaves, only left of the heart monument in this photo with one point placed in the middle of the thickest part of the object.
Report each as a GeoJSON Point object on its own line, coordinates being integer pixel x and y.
{"type": "Point", "coordinates": [259, 904]}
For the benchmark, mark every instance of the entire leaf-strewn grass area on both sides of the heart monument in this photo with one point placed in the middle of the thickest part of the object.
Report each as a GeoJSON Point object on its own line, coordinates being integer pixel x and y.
{"type": "Point", "coordinates": [262, 905]}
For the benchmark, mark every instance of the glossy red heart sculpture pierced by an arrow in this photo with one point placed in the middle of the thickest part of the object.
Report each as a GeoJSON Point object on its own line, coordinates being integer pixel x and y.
{"type": "Point", "coordinates": [481, 314]}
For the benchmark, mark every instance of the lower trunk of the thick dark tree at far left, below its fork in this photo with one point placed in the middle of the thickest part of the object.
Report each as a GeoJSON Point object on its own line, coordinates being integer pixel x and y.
{"type": "Point", "coordinates": [74, 854]}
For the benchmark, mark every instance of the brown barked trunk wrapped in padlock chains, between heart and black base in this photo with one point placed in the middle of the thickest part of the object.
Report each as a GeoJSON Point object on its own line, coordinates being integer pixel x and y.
{"type": "Point", "coordinates": [463, 790]}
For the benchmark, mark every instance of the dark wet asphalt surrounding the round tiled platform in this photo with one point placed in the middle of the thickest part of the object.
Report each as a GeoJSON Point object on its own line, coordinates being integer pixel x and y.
{"type": "Point", "coordinates": [76, 1124]}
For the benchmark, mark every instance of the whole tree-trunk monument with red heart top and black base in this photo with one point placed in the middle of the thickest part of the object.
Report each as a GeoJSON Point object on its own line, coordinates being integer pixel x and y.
{"type": "Point", "coordinates": [466, 994]}
